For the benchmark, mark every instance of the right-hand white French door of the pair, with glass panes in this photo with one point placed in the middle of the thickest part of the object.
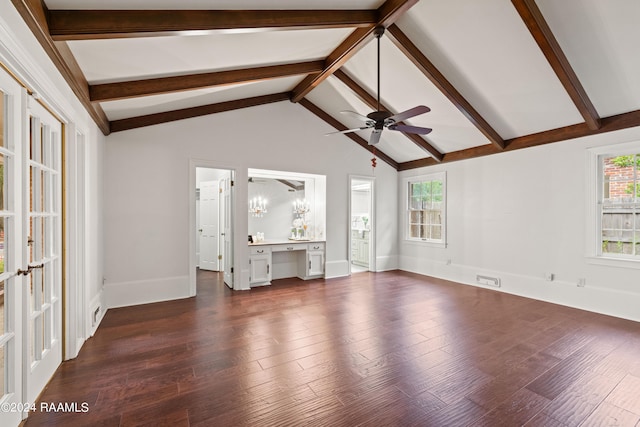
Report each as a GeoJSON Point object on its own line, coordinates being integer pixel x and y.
{"type": "Point", "coordinates": [42, 231]}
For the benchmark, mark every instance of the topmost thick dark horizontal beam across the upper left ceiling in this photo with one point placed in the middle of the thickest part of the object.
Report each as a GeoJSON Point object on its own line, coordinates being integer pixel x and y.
{"type": "Point", "coordinates": [101, 24]}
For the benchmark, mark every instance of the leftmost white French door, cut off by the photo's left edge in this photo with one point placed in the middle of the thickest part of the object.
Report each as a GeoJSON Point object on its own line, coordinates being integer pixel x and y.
{"type": "Point", "coordinates": [11, 284]}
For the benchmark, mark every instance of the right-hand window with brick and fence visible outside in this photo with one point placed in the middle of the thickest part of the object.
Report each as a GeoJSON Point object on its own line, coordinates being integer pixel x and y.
{"type": "Point", "coordinates": [618, 205]}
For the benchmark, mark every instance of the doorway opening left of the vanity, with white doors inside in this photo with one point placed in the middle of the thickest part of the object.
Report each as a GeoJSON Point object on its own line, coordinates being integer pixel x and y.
{"type": "Point", "coordinates": [212, 224]}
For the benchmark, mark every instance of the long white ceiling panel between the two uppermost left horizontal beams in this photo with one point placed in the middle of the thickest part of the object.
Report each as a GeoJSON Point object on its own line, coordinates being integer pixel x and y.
{"type": "Point", "coordinates": [104, 61]}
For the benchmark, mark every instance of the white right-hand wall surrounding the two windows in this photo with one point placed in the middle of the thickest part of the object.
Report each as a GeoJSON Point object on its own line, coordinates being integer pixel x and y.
{"type": "Point", "coordinates": [520, 215]}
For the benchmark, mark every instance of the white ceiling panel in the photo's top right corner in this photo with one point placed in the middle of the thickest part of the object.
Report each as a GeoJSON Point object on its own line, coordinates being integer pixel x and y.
{"type": "Point", "coordinates": [598, 38]}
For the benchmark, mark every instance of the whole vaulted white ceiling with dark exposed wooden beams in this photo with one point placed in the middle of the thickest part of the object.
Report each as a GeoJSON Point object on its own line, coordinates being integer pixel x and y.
{"type": "Point", "coordinates": [498, 75]}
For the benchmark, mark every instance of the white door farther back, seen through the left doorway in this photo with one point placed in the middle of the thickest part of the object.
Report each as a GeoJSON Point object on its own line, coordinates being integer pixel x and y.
{"type": "Point", "coordinates": [209, 226]}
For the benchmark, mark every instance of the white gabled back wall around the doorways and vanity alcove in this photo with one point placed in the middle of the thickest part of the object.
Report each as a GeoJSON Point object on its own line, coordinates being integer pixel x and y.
{"type": "Point", "coordinates": [146, 192]}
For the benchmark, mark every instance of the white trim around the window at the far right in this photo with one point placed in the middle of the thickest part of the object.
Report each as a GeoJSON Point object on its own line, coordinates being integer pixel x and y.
{"type": "Point", "coordinates": [593, 230]}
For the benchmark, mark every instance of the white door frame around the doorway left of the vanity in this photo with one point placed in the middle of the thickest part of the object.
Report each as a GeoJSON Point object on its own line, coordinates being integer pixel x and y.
{"type": "Point", "coordinates": [192, 232]}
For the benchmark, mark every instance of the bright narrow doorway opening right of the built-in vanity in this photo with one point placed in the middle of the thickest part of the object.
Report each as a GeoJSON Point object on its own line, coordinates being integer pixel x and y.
{"type": "Point", "coordinates": [362, 225]}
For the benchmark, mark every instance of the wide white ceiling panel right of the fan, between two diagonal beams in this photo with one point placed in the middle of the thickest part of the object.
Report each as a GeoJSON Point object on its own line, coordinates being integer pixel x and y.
{"type": "Point", "coordinates": [487, 53]}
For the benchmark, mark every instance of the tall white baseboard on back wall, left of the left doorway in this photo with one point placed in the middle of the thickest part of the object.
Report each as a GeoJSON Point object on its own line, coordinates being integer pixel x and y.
{"type": "Point", "coordinates": [123, 294]}
